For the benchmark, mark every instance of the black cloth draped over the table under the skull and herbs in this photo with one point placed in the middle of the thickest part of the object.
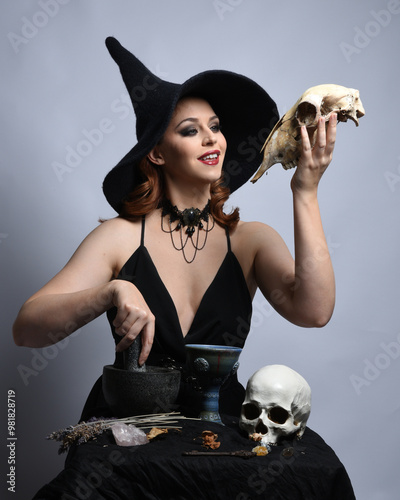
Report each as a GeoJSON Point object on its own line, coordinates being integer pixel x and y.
{"type": "Point", "coordinates": [99, 469]}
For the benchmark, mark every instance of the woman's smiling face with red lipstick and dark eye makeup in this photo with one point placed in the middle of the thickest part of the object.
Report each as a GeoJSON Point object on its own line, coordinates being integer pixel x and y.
{"type": "Point", "coordinates": [193, 147]}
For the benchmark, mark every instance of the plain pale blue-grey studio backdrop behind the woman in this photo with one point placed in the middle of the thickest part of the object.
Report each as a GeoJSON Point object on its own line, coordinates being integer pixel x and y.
{"type": "Point", "coordinates": [59, 86]}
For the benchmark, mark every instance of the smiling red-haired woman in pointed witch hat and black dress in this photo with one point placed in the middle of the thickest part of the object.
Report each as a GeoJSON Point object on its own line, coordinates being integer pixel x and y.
{"type": "Point", "coordinates": [172, 267]}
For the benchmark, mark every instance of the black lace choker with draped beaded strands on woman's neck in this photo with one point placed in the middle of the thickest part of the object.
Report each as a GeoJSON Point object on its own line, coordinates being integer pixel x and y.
{"type": "Point", "coordinates": [190, 218]}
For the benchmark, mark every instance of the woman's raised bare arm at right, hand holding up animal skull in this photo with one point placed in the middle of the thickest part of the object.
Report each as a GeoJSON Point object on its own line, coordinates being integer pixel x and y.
{"type": "Point", "coordinates": [303, 291]}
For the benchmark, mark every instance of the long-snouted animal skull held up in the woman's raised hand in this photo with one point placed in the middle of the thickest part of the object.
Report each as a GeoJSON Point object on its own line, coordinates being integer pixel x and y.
{"type": "Point", "coordinates": [283, 145]}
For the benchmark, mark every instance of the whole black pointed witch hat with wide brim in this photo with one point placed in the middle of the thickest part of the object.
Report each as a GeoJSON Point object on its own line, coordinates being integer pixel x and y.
{"type": "Point", "coordinates": [246, 112]}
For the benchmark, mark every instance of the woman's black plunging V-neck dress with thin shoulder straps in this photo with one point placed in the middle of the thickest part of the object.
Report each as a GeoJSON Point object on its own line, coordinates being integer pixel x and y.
{"type": "Point", "coordinates": [223, 318]}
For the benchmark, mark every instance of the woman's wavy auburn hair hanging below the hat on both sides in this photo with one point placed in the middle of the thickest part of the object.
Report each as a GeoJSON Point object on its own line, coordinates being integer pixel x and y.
{"type": "Point", "coordinates": [149, 193]}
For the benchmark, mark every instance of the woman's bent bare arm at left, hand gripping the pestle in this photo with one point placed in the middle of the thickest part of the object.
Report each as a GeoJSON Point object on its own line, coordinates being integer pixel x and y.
{"type": "Point", "coordinates": [82, 291]}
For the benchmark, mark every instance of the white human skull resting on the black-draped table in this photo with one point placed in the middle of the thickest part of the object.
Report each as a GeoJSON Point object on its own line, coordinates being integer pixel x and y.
{"type": "Point", "coordinates": [277, 404]}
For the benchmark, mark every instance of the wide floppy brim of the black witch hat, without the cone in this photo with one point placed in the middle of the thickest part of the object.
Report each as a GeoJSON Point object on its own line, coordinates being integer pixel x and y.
{"type": "Point", "coordinates": [247, 115]}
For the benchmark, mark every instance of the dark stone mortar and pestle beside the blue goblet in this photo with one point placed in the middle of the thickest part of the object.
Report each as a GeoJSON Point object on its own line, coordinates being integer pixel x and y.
{"type": "Point", "coordinates": [139, 390]}
